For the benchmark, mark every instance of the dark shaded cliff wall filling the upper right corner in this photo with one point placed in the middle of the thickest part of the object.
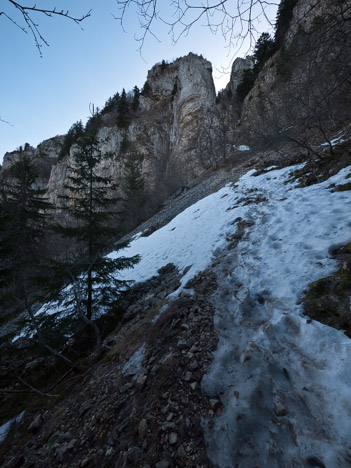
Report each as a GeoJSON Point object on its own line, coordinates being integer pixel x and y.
{"type": "Point", "coordinates": [306, 84]}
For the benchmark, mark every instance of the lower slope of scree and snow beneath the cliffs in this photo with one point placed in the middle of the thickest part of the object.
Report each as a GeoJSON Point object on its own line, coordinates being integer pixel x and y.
{"type": "Point", "coordinates": [215, 363]}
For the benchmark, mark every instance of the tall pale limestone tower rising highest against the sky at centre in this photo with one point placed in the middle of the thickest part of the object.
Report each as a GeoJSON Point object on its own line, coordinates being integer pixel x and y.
{"type": "Point", "coordinates": [182, 93]}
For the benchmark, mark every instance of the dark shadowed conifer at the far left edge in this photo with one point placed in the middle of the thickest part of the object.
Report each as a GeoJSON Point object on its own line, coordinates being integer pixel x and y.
{"type": "Point", "coordinates": [22, 229]}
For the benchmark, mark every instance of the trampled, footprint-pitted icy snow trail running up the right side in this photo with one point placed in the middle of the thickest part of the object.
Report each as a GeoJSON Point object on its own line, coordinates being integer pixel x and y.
{"type": "Point", "coordinates": [285, 384]}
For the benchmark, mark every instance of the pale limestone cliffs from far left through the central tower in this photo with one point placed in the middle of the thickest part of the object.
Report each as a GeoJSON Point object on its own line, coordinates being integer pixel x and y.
{"type": "Point", "coordinates": [164, 130]}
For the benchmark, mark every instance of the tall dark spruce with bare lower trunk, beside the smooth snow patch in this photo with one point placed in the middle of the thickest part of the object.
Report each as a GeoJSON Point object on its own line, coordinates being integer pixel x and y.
{"type": "Point", "coordinates": [92, 276]}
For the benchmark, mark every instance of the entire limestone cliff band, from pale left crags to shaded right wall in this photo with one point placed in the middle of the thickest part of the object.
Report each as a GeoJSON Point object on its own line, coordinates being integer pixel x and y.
{"type": "Point", "coordinates": [179, 128]}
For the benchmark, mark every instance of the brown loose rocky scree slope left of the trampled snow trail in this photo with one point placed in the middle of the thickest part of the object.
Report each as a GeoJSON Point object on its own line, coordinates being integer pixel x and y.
{"type": "Point", "coordinates": [147, 416]}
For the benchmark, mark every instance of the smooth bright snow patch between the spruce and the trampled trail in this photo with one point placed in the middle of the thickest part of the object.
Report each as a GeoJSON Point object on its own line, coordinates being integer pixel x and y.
{"type": "Point", "coordinates": [191, 238]}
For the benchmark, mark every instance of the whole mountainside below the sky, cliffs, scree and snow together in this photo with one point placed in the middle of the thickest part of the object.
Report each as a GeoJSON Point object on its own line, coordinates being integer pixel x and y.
{"type": "Point", "coordinates": [232, 347]}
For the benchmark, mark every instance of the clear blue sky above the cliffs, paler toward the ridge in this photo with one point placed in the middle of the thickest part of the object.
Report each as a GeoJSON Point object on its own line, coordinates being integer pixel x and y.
{"type": "Point", "coordinates": [42, 97]}
